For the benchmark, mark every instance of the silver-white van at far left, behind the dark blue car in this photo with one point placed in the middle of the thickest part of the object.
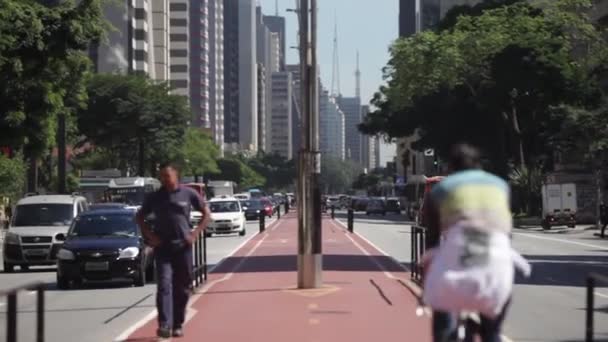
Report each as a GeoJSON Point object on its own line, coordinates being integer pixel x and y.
{"type": "Point", "coordinates": [38, 221]}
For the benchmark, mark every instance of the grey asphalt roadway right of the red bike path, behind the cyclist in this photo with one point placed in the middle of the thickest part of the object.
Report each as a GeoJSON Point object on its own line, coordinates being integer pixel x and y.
{"type": "Point", "coordinates": [549, 306]}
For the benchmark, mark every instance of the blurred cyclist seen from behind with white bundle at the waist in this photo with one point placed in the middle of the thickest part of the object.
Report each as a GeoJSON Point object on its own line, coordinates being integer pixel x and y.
{"type": "Point", "coordinates": [471, 263]}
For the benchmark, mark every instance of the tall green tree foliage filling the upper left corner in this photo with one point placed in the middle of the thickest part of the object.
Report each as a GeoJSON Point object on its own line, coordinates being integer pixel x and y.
{"type": "Point", "coordinates": [43, 68]}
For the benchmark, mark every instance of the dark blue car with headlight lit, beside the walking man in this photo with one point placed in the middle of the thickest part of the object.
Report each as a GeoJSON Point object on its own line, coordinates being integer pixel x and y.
{"type": "Point", "coordinates": [104, 245]}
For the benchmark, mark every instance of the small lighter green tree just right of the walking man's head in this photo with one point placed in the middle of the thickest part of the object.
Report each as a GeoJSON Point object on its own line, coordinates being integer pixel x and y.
{"type": "Point", "coordinates": [200, 153]}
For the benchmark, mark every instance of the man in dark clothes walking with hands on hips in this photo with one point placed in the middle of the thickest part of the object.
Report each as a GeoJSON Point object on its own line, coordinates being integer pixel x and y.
{"type": "Point", "coordinates": [172, 237]}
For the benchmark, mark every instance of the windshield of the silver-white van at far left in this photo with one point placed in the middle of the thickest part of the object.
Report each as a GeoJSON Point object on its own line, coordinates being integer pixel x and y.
{"type": "Point", "coordinates": [44, 214]}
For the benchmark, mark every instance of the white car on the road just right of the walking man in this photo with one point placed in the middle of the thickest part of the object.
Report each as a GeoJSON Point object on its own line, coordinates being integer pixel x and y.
{"type": "Point", "coordinates": [227, 216]}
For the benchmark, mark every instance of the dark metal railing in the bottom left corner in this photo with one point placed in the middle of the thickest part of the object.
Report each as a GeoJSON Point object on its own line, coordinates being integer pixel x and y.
{"type": "Point", "coordinates": [11, 311]}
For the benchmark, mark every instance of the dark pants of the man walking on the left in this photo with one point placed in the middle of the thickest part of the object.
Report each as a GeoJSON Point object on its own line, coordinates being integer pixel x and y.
{"type": "Point", "coordinates": [174, 280]}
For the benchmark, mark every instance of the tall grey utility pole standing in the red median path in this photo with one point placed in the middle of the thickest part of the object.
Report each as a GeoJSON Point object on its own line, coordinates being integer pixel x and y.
{"type": "Point", "coordinates": [310, 266]}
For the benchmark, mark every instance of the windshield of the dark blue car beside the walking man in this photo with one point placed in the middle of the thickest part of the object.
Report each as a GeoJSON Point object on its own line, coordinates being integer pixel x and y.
{"type": "Point", "coordinates": [104, 225]}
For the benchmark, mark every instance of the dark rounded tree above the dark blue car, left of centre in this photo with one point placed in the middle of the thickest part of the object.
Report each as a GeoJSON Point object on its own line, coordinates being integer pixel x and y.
{"type": "Point", "coordinates": [135, 119]}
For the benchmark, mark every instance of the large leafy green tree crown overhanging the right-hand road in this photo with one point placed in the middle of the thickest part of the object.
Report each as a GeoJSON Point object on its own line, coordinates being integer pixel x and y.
{"type": "Point", "coordinates": [491, 78]}
